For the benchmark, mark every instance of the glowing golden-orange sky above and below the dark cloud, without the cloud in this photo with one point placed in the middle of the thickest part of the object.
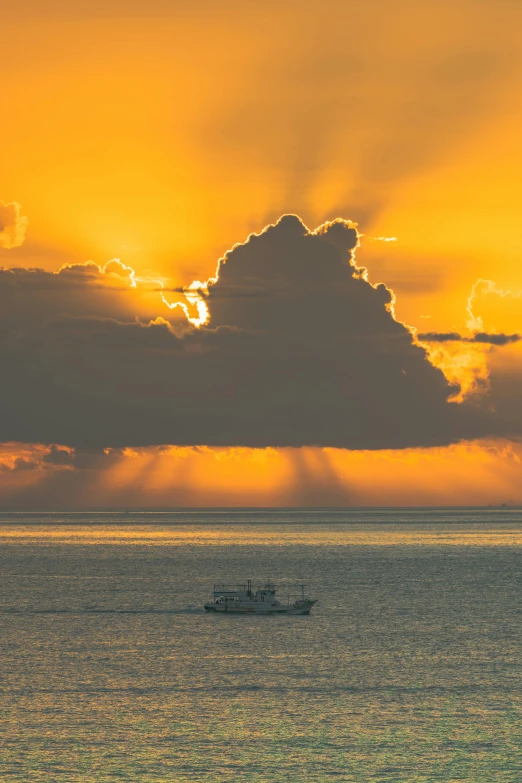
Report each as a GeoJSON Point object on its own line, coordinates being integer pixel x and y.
{"type": "Point", "coordinates": [164, 133]}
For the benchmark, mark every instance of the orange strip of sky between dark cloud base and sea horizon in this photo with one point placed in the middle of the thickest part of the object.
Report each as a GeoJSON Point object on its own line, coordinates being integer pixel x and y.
{"type": "Point", "coordinates": [465, 474]}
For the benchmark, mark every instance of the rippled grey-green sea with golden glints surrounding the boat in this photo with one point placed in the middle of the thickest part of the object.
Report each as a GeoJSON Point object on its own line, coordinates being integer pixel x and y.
{"type": "Point", "coordinates": [408, 669]}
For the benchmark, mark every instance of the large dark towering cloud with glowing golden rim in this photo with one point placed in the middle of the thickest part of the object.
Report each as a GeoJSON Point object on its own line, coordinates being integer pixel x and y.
{"type": "Point", "coordinates": [300, 350]}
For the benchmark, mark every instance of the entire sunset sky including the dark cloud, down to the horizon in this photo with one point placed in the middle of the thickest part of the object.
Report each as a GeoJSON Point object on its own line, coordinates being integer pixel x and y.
{"type": "Point", "coordinates": [260, 254]}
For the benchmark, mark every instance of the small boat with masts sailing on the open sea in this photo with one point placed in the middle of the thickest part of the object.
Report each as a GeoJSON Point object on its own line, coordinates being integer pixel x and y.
{"type": "Point", "coordinates": [242, 599]}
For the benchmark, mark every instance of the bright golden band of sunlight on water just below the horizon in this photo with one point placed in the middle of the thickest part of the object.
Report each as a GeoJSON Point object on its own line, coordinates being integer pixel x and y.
{"type": "Point", "coordinates": [485, 535]}
